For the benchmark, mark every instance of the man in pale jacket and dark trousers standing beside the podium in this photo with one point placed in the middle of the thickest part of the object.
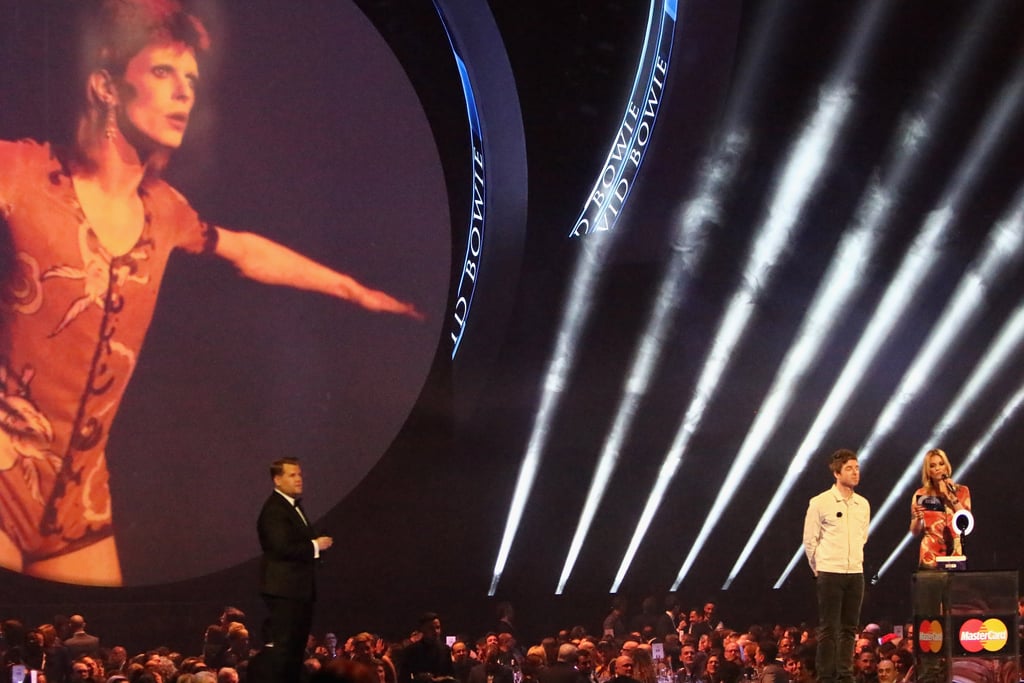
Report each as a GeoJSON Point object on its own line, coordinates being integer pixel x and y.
{"type": "Point", "coordinates": [835, 533]}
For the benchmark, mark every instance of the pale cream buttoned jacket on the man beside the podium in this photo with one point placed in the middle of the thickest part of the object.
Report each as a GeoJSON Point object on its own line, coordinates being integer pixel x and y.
{"type": "Point", "coordinates": [836, 531]}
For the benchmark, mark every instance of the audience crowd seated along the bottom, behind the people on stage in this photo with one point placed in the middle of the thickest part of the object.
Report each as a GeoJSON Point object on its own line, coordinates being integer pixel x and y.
{"type": "Point", "coordinates": [660, 645]}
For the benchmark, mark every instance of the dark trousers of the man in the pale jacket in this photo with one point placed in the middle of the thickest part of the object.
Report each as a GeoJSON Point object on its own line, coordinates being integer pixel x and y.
{"type": "Point", "coordinates": [840, 596]}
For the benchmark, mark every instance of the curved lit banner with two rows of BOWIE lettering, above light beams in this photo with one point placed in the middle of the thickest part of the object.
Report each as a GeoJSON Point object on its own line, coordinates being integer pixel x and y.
{"type": "Point", "coordinates": [622, 165]}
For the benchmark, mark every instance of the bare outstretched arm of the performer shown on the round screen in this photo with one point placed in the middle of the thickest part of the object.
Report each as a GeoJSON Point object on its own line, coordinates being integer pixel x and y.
{"type": "Point", "coordinates": [269, 263]}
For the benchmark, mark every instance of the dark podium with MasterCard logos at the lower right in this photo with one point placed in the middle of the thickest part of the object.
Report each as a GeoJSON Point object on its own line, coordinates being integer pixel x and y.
{"type": "Point", "coordinates": [965, 627]}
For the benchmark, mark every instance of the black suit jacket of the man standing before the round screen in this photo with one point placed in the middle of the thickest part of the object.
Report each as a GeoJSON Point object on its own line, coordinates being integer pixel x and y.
{"type": "Point", "coordinates": [287, 569]}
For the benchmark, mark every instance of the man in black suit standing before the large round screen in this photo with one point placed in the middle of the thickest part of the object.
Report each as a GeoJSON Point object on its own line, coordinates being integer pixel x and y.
{"type": "Point", "coordinates": [288, 569]}
